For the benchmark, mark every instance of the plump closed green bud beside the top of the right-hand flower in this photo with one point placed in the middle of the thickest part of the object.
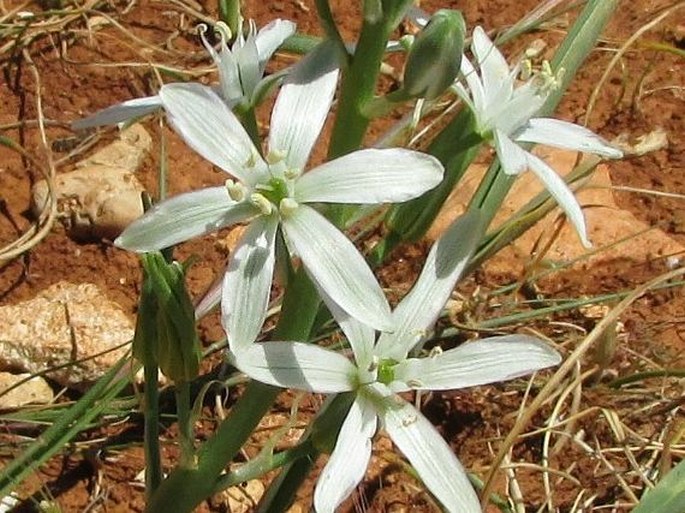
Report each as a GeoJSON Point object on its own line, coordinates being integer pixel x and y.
{"type": "Point", "coordinates": [435, 57]}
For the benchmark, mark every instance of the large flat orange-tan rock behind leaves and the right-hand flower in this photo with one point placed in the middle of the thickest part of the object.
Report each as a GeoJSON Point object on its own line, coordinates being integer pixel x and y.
{"type": "Point", "coordinates": [607, 223]}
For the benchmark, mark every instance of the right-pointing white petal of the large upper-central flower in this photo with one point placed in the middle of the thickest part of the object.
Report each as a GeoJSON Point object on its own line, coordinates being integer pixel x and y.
{"type": "Point", "coordinates": [371, 176]}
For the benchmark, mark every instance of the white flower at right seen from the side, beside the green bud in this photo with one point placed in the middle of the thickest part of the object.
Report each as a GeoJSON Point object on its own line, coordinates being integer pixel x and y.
{"type": "Point", "coordinates": [505, 115]}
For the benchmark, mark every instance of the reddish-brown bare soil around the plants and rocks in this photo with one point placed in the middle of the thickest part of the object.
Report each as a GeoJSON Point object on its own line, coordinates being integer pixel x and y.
{"type": "Point", "coordinates": [594, 463]}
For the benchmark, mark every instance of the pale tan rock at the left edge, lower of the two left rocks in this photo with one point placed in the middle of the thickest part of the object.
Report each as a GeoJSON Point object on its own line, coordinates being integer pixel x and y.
{"type": "Point", "coordinates": [68, 325]}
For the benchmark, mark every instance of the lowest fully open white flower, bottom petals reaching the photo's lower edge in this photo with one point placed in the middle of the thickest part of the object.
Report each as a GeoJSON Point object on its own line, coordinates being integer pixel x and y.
{"type": "Point", "coordinates": [382, 368]}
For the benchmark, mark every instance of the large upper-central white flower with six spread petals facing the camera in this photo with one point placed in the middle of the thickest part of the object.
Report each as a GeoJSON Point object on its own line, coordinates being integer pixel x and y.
{"type": "Point", "coordinates": [273, 193]}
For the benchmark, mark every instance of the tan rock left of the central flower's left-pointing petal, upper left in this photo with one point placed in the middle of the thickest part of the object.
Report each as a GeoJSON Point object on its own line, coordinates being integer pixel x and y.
{"type": "Point", "coordinates": [102, 196]}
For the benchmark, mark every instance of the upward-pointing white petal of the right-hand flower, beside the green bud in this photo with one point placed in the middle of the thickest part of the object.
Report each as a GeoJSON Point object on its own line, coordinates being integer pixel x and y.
{"type": "Point", "coordinates": [498, 82]}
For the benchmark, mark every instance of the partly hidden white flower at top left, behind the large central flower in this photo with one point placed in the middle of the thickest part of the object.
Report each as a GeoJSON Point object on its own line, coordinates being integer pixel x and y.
{"type": "Point", "coordinates": [241, 72]}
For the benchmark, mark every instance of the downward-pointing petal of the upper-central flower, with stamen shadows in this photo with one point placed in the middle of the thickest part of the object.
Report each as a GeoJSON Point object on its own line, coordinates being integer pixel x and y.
{"type": "Point", "coordinates": [247, 283]}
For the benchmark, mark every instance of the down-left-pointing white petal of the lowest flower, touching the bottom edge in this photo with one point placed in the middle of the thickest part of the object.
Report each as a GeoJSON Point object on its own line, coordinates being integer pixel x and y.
{"type": "Point", "coordinates": [347, 464]}
